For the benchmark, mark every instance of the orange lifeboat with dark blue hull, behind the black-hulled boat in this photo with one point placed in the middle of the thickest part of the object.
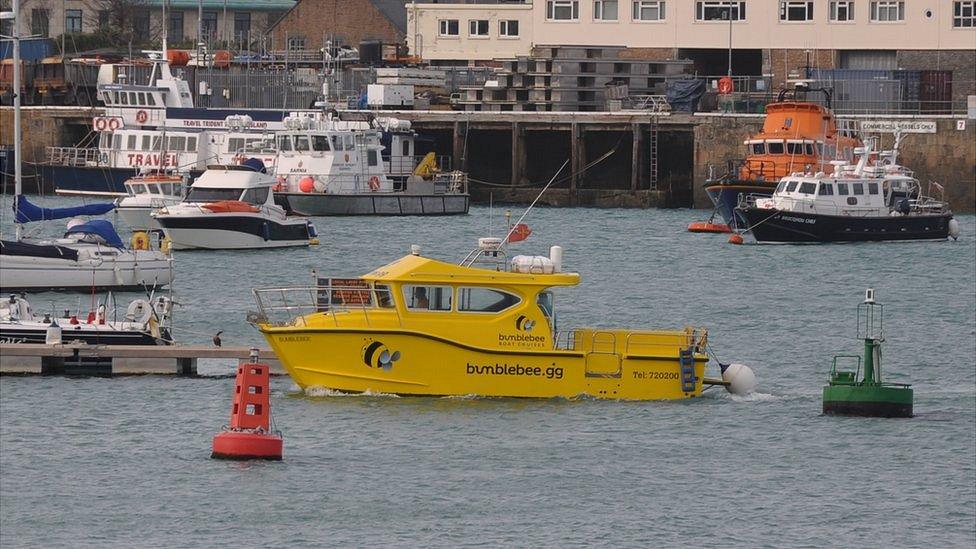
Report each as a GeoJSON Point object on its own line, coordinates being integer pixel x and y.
{"type": "Point", "coordinates": [797, 135]}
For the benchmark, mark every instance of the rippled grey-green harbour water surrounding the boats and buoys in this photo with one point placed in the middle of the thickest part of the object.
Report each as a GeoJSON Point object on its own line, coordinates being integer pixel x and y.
{"type": "Point", "coordinates": [125, 461]}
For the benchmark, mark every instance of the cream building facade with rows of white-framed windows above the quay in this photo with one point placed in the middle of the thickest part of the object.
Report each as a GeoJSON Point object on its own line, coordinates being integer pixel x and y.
{"type": "Point", "coordinates": [766, 37]}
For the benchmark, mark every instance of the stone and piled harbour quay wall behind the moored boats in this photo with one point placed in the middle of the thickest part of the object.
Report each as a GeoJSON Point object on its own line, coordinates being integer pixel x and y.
{"type": "Point", "coordinates": [637, 160]}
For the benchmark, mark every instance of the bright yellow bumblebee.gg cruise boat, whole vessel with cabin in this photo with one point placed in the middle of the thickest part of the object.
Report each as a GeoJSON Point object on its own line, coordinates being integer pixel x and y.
{"type": "Point", "coordinates": [486, 327]}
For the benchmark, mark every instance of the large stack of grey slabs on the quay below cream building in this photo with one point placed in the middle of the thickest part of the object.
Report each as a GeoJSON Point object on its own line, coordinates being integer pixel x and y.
{"type": "Point", "coordinates": [569, 78]}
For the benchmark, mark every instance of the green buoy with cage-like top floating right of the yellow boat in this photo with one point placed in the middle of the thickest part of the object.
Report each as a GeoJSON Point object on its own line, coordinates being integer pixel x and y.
{"type": "Point", "coordinates": [869, 396]}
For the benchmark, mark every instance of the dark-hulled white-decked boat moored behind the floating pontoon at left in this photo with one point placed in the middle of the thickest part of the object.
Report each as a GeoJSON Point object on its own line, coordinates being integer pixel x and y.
{"type": "Point", "coordinates": [144, 322]}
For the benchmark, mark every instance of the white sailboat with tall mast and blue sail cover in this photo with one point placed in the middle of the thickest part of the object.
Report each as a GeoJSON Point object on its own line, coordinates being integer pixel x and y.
{"type": "Point", "coordinates": [91, 255]}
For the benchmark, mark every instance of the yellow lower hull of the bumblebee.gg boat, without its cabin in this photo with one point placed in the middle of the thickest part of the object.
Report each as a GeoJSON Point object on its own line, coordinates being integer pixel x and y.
{"type": "Point", "coordinates": [411, 363]}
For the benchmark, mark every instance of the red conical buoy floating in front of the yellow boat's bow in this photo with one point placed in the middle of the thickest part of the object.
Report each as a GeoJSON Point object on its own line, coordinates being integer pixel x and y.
{"type": "Point", "coordinates": [250, 435]}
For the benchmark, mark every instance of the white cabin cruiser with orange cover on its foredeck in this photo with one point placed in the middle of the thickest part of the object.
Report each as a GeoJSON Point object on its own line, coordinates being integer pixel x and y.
{"type": "Point", "coordinates": [232, 207]}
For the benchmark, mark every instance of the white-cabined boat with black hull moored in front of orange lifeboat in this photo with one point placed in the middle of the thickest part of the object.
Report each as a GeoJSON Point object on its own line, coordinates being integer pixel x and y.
{"type": "Point", "coordinates": [856, 203]}
